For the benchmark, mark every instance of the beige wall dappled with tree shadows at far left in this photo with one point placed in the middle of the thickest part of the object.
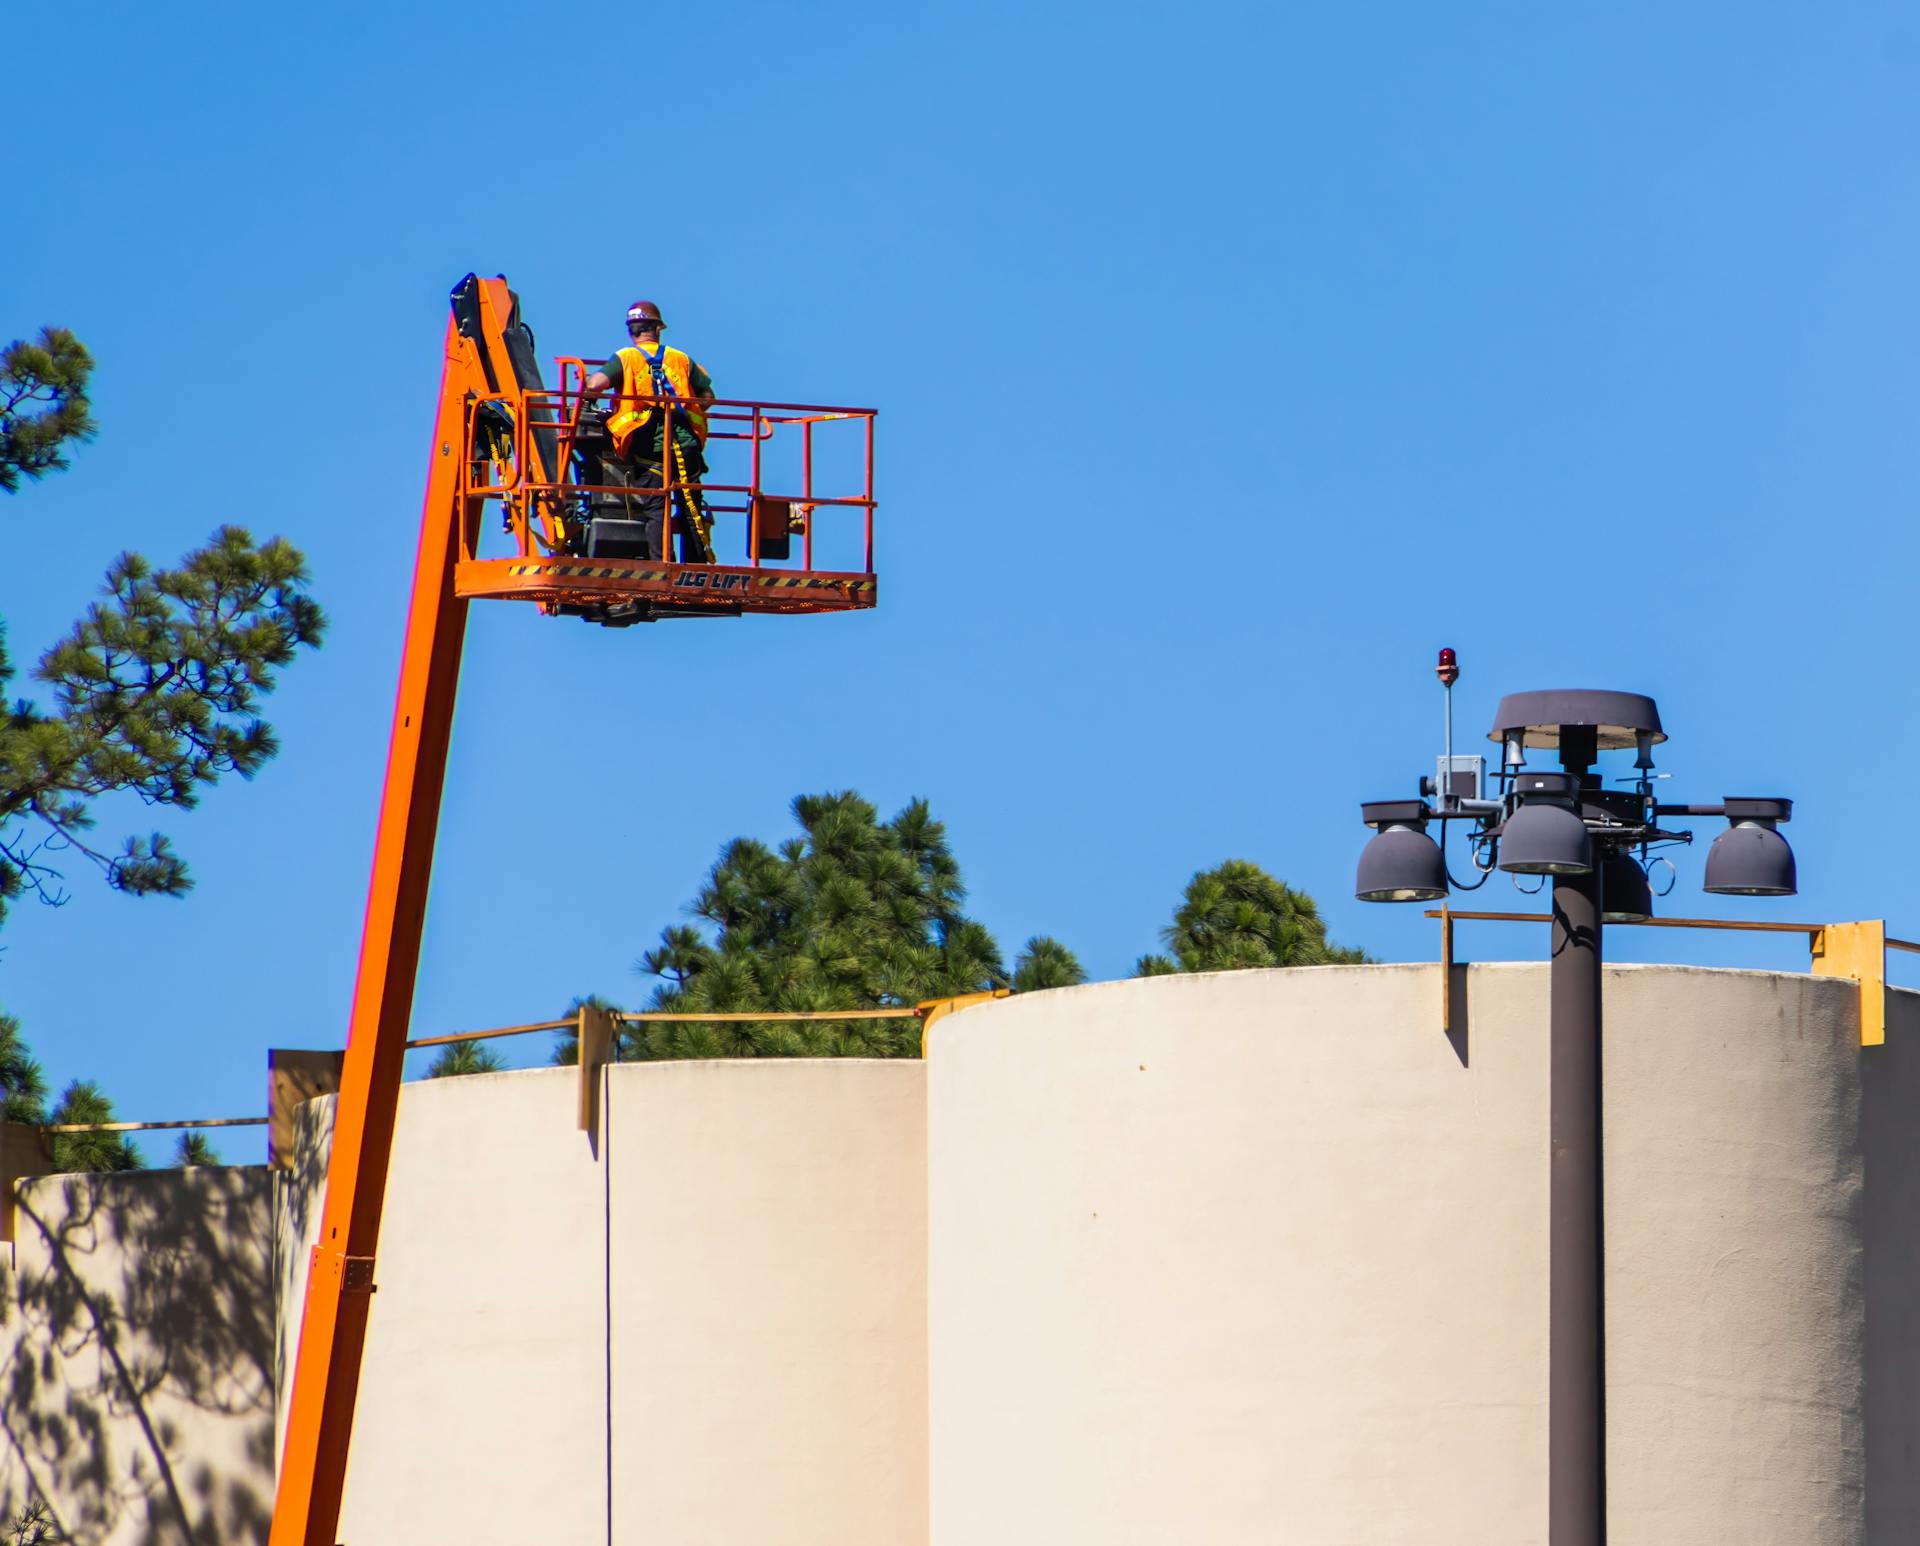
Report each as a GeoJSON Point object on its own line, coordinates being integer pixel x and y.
{"type": "Point", "coordinates": [137, 1397]}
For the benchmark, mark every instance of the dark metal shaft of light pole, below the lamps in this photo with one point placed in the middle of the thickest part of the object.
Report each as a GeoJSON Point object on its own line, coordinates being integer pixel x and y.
{"type": "Point", "coordinates": [1577, 1428]}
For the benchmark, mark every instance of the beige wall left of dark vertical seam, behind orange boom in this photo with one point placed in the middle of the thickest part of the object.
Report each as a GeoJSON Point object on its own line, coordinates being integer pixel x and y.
{"type": "Point", "coordinates": [481, 1413]}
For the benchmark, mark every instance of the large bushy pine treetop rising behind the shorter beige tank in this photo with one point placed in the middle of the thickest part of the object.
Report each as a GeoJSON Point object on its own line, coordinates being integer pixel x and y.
{"type": "Point", "coordinates": [855, 913]}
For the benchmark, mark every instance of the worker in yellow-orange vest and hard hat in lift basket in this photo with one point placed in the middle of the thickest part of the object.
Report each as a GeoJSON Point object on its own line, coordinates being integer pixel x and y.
{"type": "Point", "coordinates": [652, 370]}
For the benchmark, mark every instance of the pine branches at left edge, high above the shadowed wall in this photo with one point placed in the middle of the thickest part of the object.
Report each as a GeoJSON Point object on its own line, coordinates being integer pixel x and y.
{"type": "Point", "coordinates": [156, 688]}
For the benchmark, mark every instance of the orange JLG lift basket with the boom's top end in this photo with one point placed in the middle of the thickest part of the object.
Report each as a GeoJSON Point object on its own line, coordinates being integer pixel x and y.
{"type": "Point", "coordinates": [786, 504]}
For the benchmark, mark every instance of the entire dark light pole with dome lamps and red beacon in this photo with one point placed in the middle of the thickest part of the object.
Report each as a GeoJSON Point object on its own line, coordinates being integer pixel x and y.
{"type": "Point", "coordinates": [1566, 825]}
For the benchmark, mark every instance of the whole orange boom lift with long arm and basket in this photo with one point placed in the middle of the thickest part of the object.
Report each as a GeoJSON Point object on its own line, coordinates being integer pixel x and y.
{"type": "Point", "coordinates": [502, 439]}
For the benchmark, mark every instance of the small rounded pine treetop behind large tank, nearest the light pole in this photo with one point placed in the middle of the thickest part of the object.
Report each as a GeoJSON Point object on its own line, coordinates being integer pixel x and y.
{"type": "Point", "coordinates": [1237, 915]}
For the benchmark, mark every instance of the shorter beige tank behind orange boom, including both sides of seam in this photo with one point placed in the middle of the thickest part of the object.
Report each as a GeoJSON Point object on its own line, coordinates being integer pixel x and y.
{"type": "Point", "coordinates": [742, 1278]}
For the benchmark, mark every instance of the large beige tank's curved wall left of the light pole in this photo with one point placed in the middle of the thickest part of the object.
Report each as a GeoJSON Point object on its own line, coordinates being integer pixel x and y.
{"type": "Point", "coordinates": [1239, 1259]}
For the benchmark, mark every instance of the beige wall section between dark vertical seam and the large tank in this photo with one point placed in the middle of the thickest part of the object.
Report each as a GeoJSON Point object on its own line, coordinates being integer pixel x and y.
{"type": "Point", "coordinates": [771, 1303]}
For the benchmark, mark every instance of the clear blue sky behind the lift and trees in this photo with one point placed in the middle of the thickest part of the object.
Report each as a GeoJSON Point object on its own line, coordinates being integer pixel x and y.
{"type": "Point", "coordinates": [1230, 362]}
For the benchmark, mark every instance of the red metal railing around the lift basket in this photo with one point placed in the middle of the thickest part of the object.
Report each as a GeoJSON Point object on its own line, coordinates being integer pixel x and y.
{"type": "Point", "coordinates": [542, 502]}
